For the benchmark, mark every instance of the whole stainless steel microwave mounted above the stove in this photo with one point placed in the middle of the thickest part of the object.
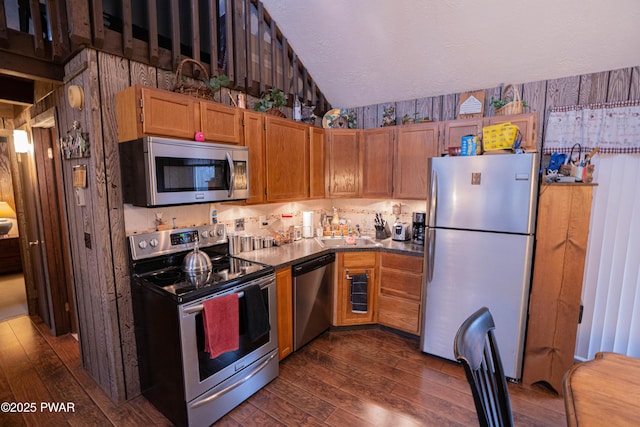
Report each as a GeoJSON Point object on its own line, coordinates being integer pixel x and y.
{"type": "Point", "coordinates": [161, 172]}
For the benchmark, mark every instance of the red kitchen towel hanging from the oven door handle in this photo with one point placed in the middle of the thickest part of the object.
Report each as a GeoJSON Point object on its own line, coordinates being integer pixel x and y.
{"type": "Point", "coordinates": [221, 325]}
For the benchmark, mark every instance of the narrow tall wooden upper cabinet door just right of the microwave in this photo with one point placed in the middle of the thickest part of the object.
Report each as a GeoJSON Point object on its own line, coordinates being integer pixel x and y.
{"type": "Point", "coordinates": [254, 139]}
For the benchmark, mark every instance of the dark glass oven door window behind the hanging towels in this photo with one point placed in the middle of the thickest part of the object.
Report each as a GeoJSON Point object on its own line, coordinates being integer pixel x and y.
{"type": "Point", "coordinates": [209, 367]}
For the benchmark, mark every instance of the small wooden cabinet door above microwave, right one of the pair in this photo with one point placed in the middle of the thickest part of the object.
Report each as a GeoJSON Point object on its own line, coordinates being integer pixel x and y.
{"type": "Point", "coordinates": [221, 123]}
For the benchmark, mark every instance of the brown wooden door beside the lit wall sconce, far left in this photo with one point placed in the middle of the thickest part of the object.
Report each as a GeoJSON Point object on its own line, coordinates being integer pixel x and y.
{"type": "Point", "coordinates": [42, 228]}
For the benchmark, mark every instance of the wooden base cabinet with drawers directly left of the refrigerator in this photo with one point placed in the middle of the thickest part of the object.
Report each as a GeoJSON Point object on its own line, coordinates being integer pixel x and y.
{"type": "Point", "coordinates": [400, 294]}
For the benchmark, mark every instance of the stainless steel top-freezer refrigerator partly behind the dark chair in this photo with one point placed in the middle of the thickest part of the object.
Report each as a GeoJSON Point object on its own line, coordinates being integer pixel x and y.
{"type": "Point", "coordinates": [479, 249]}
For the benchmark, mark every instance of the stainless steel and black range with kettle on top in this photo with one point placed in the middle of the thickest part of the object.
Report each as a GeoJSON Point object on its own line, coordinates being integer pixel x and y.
{"type": "Point", "coordinates": [176, 373]}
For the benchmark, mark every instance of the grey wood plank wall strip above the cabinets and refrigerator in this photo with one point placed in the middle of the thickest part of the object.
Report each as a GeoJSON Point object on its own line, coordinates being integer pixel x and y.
{"type": "Point", "coordinates": [609, 86]}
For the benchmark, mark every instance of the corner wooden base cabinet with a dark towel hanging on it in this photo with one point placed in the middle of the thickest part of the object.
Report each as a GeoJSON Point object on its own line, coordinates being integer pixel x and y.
{"type": "Point", "coordinates": [348, 264]}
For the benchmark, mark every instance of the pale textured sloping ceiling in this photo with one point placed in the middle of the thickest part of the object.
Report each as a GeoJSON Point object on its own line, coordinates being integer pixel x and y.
{"type": "Point", "coordinates": [364, 52]}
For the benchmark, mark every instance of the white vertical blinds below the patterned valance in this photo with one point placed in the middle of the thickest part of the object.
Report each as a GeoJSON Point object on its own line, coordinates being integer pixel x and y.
{"type": "Point", "coordinates": [611, 287]}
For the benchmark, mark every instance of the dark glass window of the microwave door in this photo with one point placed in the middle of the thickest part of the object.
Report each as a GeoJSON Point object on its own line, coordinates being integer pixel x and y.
{"type": "Point", "coordinates": [184, 174]}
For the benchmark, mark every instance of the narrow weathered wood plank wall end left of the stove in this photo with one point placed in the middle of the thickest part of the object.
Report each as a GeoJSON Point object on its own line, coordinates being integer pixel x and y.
{"type": "Point", "coordinates": [105, 347]}
